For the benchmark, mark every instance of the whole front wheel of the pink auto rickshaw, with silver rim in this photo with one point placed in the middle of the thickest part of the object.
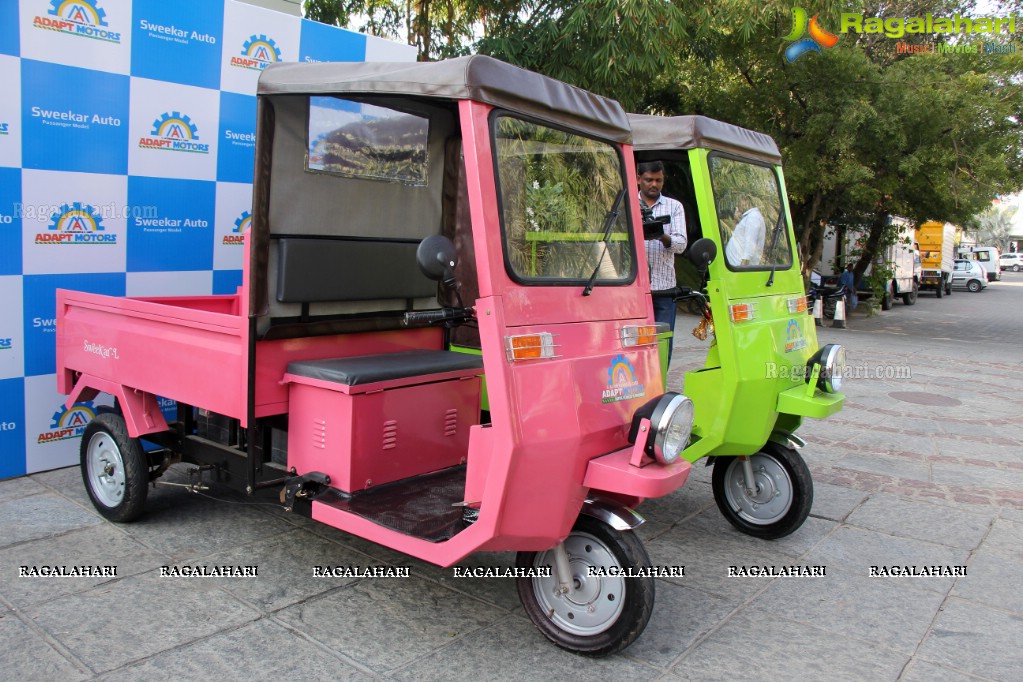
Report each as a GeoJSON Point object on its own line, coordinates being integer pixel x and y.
{"type": "Point", "coordinates": [606, 611]}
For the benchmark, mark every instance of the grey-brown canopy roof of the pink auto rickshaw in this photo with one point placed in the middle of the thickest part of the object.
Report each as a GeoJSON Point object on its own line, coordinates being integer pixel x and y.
{"type": "Point", "coordinates": [475, 78]}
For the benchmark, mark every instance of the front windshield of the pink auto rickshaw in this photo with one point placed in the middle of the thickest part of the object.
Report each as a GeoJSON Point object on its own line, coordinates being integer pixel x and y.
{"type": "Point", "coordinates": [558, 196]}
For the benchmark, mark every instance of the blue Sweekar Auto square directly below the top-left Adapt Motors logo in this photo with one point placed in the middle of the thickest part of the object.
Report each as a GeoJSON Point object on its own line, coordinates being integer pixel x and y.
{"type": "Point", "coordinates": [83, 127]}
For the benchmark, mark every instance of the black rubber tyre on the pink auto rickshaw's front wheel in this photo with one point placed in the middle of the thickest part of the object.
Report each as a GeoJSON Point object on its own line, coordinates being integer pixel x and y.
{"type": "Point", "coordinates": [629, 553]}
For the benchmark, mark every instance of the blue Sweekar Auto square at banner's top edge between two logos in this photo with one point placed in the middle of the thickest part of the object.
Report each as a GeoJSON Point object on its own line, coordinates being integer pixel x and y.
{"type": "Point", "coordinates": [180, 42]}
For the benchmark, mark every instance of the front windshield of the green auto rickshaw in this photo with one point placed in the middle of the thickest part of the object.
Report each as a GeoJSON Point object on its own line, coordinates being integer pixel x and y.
{"type": "Point", "coordinates": [750, 215]}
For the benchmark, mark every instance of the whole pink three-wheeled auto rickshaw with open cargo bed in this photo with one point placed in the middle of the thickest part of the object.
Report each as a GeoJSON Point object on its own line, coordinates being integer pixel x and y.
{"type": "Point", "coordinates": [380, 188]}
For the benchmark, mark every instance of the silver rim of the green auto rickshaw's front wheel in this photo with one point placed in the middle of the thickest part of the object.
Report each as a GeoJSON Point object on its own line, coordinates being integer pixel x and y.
{"type": "Point", "coordinates": [774, 495]}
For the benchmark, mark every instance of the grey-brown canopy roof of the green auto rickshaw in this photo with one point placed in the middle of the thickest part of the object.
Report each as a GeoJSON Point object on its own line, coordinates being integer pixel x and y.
{"type": "Point", "coordinates": [689, 132]}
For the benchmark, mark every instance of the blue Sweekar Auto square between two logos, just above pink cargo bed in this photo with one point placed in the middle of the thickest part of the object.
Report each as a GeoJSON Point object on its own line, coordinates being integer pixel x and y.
{"type": "Point", "coordinates": [172, 224]}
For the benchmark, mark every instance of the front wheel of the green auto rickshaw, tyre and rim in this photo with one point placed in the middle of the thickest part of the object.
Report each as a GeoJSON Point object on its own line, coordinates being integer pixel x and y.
{"type": "Point", "coordinates": [789, 471]}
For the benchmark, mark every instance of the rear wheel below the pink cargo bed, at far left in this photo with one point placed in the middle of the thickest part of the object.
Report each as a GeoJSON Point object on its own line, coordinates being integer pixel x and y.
{"type": "Point", "coordinates": [108, 438]}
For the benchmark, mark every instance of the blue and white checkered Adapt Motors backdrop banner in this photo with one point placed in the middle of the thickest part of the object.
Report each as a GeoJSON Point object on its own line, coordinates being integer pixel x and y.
{"type": "Point", "coordinates": [127, 134]}
